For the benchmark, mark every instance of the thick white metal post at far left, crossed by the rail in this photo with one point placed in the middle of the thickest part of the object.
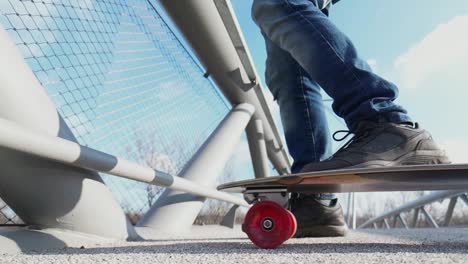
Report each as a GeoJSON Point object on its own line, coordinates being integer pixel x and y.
{"type": "Point", "coordinates": [42, 192]}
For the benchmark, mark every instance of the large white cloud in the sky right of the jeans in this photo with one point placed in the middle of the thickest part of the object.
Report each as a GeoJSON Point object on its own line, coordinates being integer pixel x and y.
{"type": "Point", "coordinates": [434, 72]}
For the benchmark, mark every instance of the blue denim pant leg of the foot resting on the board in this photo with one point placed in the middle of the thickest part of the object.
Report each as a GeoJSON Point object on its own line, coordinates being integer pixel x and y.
{"type": "Point", "coordinates": [329, 57]}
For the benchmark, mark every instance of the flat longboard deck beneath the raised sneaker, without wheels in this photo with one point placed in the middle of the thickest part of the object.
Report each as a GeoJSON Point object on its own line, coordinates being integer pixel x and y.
{"type": "Point", "coordinates": [404, 178]}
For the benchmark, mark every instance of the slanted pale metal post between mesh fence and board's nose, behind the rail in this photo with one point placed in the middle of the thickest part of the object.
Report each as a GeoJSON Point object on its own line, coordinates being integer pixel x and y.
{"type": "Point", "coordinates": [176, 211]}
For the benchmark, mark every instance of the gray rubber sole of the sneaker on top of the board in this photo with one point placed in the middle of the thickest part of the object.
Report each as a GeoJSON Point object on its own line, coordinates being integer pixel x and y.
{"type": "Point", "coordinates": [418, 157]}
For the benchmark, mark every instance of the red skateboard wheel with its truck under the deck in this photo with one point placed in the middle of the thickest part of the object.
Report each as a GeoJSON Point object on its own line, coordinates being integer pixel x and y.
{"type": "Point", "coordinates": [268, 223]}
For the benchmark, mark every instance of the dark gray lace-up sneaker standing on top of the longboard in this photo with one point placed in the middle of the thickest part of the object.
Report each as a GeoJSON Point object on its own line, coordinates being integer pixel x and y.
{"type": "Point", "coordinates": [383, 144]}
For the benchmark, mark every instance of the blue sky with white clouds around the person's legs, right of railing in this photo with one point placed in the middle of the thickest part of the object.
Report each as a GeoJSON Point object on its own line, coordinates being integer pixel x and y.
{"type": "Point", "coordinates": [419, 45]}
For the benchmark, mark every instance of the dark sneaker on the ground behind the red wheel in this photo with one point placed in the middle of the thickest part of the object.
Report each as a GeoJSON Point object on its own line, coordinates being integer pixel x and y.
{"type": "Point", "coordinates": [317, 218]}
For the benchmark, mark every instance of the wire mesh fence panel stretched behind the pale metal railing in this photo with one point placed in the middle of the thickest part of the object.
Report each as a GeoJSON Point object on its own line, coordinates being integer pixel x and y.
{"type": "Point", "coordinates": [122, 81]}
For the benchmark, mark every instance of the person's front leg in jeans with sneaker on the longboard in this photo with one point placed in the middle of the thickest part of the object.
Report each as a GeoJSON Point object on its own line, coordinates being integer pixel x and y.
{"type": "Point", "coordinates": [384, 135]}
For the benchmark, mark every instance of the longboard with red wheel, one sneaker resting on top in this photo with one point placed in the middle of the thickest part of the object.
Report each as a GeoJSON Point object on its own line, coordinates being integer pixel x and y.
{"type": "Point", "coordinates": [269, 223]}
